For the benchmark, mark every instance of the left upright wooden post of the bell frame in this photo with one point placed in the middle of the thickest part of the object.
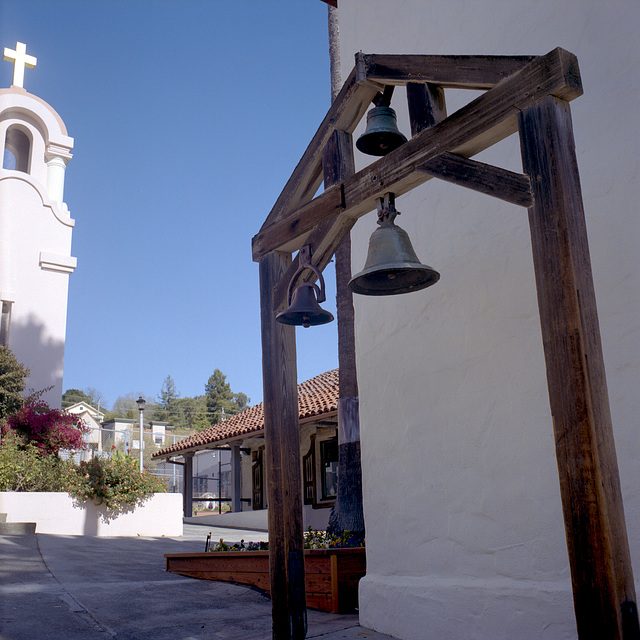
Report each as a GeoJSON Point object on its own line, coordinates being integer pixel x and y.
{"type": "Point", "coordinates": [283, 474]}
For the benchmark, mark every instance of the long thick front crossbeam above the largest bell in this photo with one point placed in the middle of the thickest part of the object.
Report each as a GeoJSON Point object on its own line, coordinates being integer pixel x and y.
{"type": "Point", "coordinates": [477, 126]}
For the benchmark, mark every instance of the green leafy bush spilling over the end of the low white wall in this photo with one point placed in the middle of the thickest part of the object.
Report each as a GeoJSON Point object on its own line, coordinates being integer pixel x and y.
{"type": "Point", "coordinates": [115, 482]}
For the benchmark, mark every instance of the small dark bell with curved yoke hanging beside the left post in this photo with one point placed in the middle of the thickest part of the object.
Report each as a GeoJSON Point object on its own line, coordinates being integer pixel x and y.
{"type": "Point", "coordinates": [304, 301]}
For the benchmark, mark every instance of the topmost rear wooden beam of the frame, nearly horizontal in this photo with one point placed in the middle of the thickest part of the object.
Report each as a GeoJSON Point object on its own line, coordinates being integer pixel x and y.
{"type": "Point", "coordinates": [462, 72]}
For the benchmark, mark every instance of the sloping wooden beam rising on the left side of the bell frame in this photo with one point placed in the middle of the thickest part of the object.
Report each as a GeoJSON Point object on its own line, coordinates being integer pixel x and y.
{"type": "Point", "coordinates": [344, 114]}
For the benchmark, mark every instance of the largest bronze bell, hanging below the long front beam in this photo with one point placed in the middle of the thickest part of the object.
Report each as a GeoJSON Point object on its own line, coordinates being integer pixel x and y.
{"type": "Point", "coordinates": [392, 265]}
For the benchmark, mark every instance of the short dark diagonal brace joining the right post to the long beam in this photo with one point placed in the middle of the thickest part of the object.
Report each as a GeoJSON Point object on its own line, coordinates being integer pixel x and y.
{"type": "Point", "coordinates": [485, 178]}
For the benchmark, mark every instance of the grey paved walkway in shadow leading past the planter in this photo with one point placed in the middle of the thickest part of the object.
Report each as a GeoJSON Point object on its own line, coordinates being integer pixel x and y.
{"type": "Point", "coordinates": [89, 588]}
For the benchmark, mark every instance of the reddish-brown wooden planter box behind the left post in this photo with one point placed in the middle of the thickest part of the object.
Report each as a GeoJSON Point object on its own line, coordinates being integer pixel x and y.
{"type": "Point", "coordinates": [331, 575]}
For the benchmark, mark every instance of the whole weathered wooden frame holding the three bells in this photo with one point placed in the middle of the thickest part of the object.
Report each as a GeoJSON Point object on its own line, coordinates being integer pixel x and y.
{"type": "Point", "coordinates": [528, 95]}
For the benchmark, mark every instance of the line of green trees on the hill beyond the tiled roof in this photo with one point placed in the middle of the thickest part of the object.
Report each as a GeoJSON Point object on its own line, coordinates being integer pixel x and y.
{"type": "Point", "coordinates": [186, 414]}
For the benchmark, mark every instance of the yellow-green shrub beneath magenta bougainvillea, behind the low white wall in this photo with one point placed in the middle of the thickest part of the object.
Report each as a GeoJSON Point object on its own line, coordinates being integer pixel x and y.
{"type": "Point", "coordinates": [24, 468]}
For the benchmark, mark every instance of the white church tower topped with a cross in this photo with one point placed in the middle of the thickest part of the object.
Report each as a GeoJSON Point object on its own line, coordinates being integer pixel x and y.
{"type": "Point", "coordinates": [35, 231]}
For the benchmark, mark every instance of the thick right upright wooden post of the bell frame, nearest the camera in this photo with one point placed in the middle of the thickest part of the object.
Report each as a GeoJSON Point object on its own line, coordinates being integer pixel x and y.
{"type": "Point", "coordinates": [603, 588]}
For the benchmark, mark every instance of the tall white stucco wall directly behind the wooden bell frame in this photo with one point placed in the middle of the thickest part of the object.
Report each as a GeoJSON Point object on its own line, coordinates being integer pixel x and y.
{"type": "Point", "coordinates": [465, 535]}
